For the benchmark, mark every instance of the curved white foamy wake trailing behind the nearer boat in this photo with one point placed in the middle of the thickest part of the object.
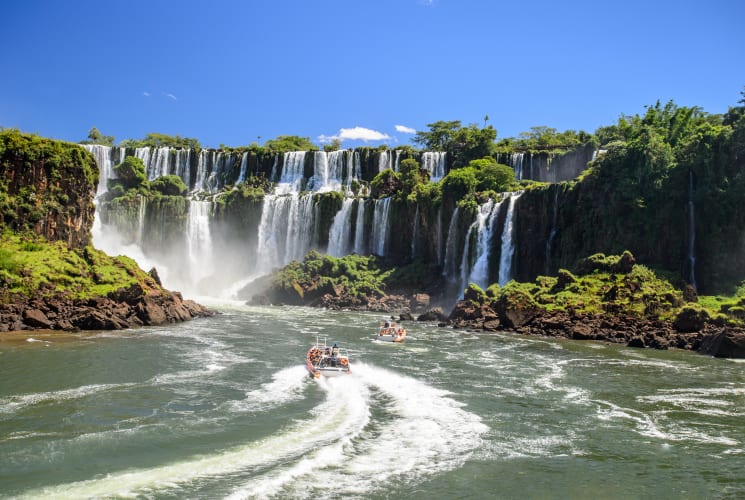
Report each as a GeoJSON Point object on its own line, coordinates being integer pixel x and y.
{"type": "Point", "coordinates": [373, 429]}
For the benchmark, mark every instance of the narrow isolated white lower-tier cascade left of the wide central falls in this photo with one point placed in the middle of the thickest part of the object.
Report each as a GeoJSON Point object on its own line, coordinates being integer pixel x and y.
{"type": "Point", "coordinates": [199, 240]}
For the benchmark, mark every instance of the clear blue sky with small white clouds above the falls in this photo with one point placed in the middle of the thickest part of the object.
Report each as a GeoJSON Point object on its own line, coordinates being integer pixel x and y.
{"type": "Point", "coordinates": [368, 71]}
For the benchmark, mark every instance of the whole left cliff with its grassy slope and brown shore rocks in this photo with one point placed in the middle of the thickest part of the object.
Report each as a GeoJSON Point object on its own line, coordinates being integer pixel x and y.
{"type": "Point", "coordinates": [56, 280]}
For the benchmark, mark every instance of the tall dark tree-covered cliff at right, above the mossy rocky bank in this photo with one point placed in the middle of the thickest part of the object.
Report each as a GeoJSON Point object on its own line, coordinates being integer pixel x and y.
{"type": "Point", "coordinates": [663, 174]}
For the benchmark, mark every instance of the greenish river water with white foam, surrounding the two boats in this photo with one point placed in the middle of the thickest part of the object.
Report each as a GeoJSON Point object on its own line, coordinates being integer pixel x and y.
{"type": "Point", "coordinates": [223, 407]}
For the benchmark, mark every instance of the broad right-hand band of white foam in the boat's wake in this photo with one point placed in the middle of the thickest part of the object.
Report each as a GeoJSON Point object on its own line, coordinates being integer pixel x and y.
{"type": "Point", "coordinates": [426, 432]}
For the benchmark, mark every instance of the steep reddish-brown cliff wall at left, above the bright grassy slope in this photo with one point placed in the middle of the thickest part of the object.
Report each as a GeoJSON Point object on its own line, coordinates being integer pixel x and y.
{"type": "Point", "coordinates": [47, 187]}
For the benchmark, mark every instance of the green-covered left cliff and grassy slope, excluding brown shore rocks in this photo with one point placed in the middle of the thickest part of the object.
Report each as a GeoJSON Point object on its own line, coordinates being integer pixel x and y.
{"type": "Point", "coordinates": [46, 193]}
